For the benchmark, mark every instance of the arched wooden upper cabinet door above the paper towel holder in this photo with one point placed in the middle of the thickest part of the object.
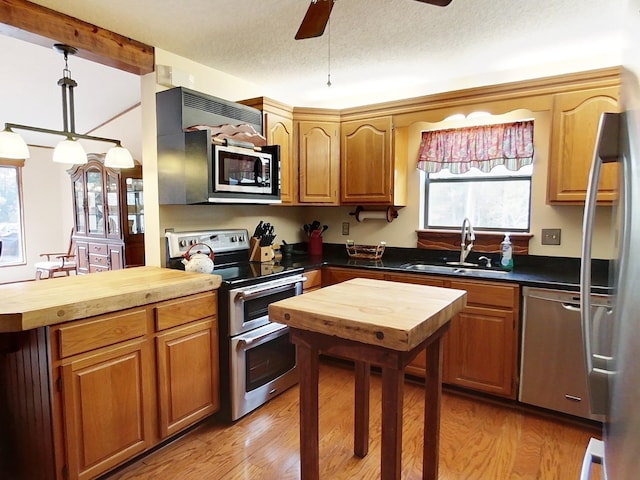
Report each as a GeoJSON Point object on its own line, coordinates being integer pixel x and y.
{"type": "Point", "coordinates": [367, 174]}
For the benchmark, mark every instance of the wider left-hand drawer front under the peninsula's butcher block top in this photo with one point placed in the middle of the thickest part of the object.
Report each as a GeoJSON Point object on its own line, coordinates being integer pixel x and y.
{"type": "Point", "coordinates": [101, 331]}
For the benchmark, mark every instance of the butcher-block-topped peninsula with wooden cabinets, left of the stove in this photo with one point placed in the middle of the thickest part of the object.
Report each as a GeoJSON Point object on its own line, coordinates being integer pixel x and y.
{"type": "Point", "coordinates": [96, 369]}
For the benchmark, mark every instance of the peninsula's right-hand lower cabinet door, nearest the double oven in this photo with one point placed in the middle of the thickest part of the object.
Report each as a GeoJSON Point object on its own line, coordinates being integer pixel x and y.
{"type": "Point", "coordinates": [188, 375]}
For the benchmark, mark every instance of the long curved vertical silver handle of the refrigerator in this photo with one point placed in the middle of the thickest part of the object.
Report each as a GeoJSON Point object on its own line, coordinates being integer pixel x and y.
{"type": "Point", "coordinates": [597, 378]}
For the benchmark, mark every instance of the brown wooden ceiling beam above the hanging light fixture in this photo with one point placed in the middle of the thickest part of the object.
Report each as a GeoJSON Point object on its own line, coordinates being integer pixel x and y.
{"type": "Point", "coordinates": [43, 26]}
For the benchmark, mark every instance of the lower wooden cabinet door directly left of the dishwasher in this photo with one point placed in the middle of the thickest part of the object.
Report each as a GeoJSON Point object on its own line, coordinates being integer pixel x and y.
{"type": "Point", "coordinates": [478, 351]}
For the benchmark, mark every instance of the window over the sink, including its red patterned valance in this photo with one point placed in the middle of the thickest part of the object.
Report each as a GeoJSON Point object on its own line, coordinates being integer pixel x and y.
{"type": "Point", "coordinates": [480, 171]}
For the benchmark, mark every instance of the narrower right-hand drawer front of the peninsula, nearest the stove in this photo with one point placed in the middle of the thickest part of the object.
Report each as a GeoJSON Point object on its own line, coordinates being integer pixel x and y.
{"type": "Point", "coordinates": [184, 310]}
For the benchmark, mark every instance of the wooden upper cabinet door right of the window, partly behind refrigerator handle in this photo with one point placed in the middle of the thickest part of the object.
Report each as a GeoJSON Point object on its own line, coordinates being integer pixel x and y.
{"type": "Point", "coordinates": [573, 137]}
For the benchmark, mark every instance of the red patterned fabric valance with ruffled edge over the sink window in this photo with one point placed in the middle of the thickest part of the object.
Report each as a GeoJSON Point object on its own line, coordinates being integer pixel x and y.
{"type": "Point", "coordinates": [483, 147]}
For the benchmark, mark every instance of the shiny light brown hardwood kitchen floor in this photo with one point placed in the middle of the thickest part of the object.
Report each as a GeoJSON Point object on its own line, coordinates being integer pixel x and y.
{"type": "Point", "coordinates": [478, 441]}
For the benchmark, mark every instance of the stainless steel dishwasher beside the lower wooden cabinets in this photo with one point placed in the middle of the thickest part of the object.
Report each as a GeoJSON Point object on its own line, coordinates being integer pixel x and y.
{"type": "Point", "coordinates": [552, 369]}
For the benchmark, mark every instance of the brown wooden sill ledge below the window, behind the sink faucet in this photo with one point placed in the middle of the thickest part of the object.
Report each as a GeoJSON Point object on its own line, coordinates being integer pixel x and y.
{"type": "Point", "coordinates": [486, 242]}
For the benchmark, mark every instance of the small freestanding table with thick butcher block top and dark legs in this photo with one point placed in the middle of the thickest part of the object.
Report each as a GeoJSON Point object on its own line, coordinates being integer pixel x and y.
{"type": "Point", "coordinates": [371, 322]}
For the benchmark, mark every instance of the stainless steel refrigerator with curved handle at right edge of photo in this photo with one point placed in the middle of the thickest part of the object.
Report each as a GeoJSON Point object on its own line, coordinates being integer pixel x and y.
{"type": "Point", "coordinates": [614, 374]}
